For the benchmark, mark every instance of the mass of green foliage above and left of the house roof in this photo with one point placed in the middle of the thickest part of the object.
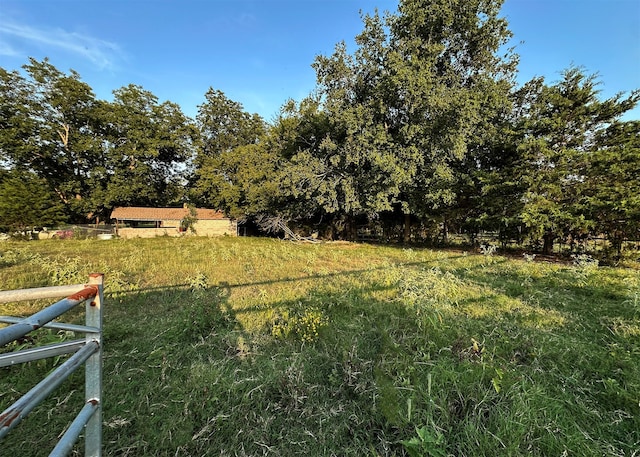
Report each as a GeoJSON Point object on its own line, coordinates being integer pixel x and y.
{"type": "Point", "coordinates": [94, 154]}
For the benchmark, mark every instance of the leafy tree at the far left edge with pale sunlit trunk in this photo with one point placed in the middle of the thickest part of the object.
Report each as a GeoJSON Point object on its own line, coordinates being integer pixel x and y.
{"type": "Point", "coordinates": [51, 129]}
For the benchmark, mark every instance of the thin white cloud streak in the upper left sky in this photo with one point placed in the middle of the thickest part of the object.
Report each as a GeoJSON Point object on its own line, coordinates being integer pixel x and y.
{"type": "Point", "coordinates": [102, 53]}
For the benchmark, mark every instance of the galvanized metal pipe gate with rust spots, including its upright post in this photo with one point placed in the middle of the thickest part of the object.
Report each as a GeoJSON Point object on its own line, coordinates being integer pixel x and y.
{"type": "Point", "coordinates": [87, 351]}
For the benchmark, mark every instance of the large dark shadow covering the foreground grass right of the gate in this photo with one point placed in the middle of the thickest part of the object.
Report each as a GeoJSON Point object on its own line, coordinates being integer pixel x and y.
{"type": "Point", "coordinates": [193, 381]}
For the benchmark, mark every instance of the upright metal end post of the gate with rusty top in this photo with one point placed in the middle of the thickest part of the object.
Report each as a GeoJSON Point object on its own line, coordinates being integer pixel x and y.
{"type": "Point", "coordinates": [93, 369]}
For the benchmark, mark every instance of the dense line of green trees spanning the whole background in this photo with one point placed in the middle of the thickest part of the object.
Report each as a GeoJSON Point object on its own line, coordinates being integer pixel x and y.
{"type": "Point", "coordinates": [420, 131]}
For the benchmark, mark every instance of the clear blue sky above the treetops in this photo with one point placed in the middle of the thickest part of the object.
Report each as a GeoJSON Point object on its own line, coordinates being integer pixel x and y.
{"type": "Point", "coordinates": [259, 53]}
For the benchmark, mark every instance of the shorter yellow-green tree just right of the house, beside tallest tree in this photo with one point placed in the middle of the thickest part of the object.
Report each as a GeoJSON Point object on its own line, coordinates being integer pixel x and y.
{"type": "Point", "coordinates": [265, 179]}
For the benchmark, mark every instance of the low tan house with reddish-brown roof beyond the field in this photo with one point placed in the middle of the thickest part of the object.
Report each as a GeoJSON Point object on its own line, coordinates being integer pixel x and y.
{"type": "Point", "coordinates": [139, 222]}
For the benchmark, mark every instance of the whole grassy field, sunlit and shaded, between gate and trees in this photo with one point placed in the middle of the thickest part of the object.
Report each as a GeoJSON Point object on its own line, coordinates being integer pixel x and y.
{"type": "Point", "coordinates": [251, 347]}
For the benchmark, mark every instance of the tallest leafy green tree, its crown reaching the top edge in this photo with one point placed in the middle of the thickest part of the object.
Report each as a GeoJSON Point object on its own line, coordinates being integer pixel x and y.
{"type": "Point", "coordinates": [409, 101]}
